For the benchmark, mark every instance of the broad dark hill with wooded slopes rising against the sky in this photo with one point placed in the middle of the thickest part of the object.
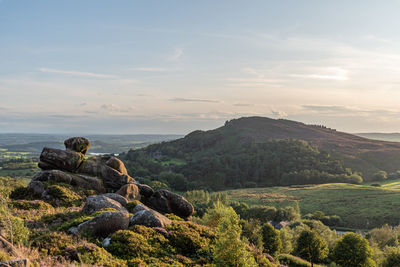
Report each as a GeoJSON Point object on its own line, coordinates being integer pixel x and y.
{"type": "Point", "coordinates": [257, 151]}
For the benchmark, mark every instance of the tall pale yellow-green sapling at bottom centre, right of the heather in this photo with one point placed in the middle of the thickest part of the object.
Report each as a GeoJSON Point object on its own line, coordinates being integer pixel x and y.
{"type": "Point", "coordinates": [228, 250]}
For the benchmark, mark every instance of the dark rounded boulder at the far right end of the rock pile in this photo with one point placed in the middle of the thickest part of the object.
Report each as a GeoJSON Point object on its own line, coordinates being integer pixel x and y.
{"type": "Point", "coordinates": [167, 202]}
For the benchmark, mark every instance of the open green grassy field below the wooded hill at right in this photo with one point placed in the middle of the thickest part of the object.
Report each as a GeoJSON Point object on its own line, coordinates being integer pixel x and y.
{"type": "Point", "coordinates": [359, 206]}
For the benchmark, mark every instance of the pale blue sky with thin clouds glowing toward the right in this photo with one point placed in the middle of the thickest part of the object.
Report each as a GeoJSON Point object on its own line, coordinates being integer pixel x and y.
{"type": "Point", "coordinates": [169, 66]}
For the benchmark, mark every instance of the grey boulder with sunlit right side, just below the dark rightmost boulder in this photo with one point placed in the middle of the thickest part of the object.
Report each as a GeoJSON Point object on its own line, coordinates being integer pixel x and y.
{"type": "Point", "coordinates": [143, 215]}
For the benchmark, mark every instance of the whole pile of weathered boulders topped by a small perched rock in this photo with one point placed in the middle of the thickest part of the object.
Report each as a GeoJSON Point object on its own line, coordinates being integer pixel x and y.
{"type": "Point", "coordinates": [107, 176]}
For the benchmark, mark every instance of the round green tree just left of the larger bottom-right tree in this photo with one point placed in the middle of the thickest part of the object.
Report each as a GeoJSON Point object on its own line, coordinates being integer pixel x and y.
{"type": "Point", "coordinates": [311, 246]}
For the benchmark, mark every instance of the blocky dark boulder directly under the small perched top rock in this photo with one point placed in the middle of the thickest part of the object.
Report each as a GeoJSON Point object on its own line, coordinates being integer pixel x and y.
{"type": "Point", "coordinates": [57, 159]}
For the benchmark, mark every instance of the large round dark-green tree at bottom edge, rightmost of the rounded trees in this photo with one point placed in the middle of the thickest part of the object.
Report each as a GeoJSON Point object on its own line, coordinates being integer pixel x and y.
{"type": "Point", "coordinates": [352, 250]}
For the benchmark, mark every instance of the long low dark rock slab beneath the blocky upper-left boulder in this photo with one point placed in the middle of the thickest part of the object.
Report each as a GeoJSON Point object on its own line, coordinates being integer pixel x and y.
{"type": "Point", "coordinates": [58, 176]}
